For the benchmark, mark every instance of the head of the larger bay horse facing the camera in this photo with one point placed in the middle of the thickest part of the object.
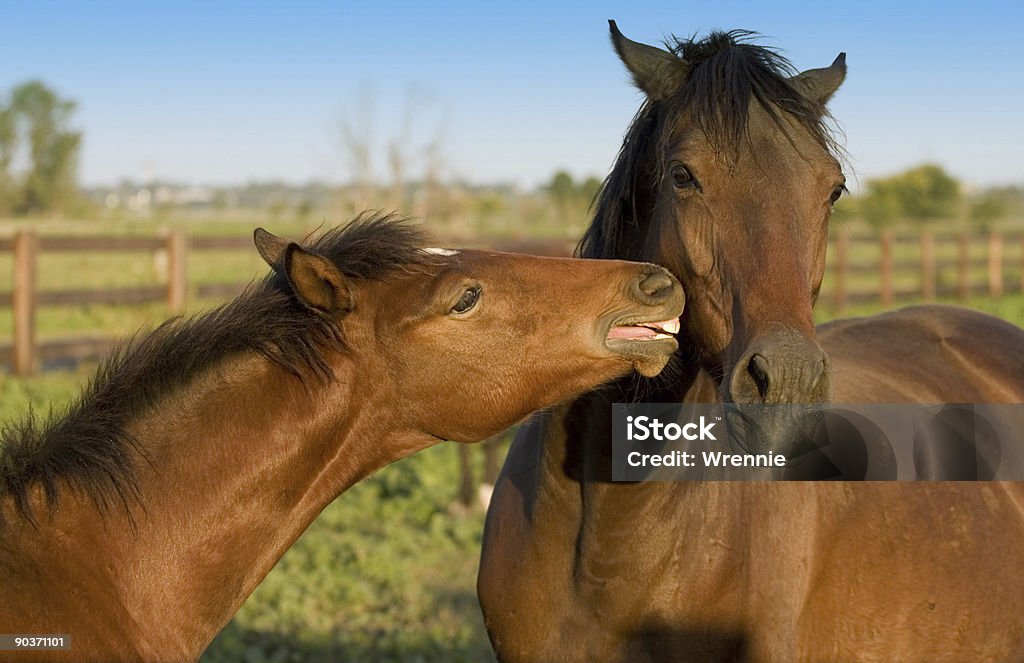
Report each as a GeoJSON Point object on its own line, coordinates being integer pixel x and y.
{"type": "Point", "coordinates": [729, 178]}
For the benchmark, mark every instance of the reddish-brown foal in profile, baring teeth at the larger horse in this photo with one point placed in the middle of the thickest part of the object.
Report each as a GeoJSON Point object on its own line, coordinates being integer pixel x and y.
{"type": "Point", "coordinates": [140, 521]}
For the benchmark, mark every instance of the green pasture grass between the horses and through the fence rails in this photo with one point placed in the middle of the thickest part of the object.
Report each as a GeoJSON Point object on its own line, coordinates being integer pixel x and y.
{"type": "Point", "coordinates": [388, 572]}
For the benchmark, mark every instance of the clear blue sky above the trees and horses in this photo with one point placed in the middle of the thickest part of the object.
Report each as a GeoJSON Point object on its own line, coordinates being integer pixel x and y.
{"type": "Point", "coordinates": [231, 92]}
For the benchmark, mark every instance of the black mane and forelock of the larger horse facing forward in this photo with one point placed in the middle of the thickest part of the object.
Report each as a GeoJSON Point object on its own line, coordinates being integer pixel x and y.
{"type": "Point", "coordinates": [727, 72]}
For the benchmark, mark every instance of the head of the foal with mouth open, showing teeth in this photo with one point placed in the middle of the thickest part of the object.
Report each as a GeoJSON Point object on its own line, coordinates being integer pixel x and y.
{"type": "Point", "coordinates": [473, 342]}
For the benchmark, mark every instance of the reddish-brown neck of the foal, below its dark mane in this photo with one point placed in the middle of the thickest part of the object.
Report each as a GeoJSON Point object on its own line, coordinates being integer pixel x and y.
{"type": "Point", "coordinates": [237, 470]}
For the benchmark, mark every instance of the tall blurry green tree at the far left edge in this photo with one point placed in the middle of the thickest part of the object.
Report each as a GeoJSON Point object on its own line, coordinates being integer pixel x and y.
{"type": "Point", "coordinates": [36, 118]}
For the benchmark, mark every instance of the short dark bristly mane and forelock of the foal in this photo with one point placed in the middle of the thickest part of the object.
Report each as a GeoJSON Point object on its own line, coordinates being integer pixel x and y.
{"type": "Point", "coordinates": [89, 446]}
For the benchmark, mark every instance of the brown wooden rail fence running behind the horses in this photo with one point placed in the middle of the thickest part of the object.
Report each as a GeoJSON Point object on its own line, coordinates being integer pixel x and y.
{"type": "Point", "coordinates": [887, 269]}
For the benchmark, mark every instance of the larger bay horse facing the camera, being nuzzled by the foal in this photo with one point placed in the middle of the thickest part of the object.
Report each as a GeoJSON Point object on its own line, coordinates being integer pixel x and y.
{"type": "Point", "coordinates": [728, 177]}
